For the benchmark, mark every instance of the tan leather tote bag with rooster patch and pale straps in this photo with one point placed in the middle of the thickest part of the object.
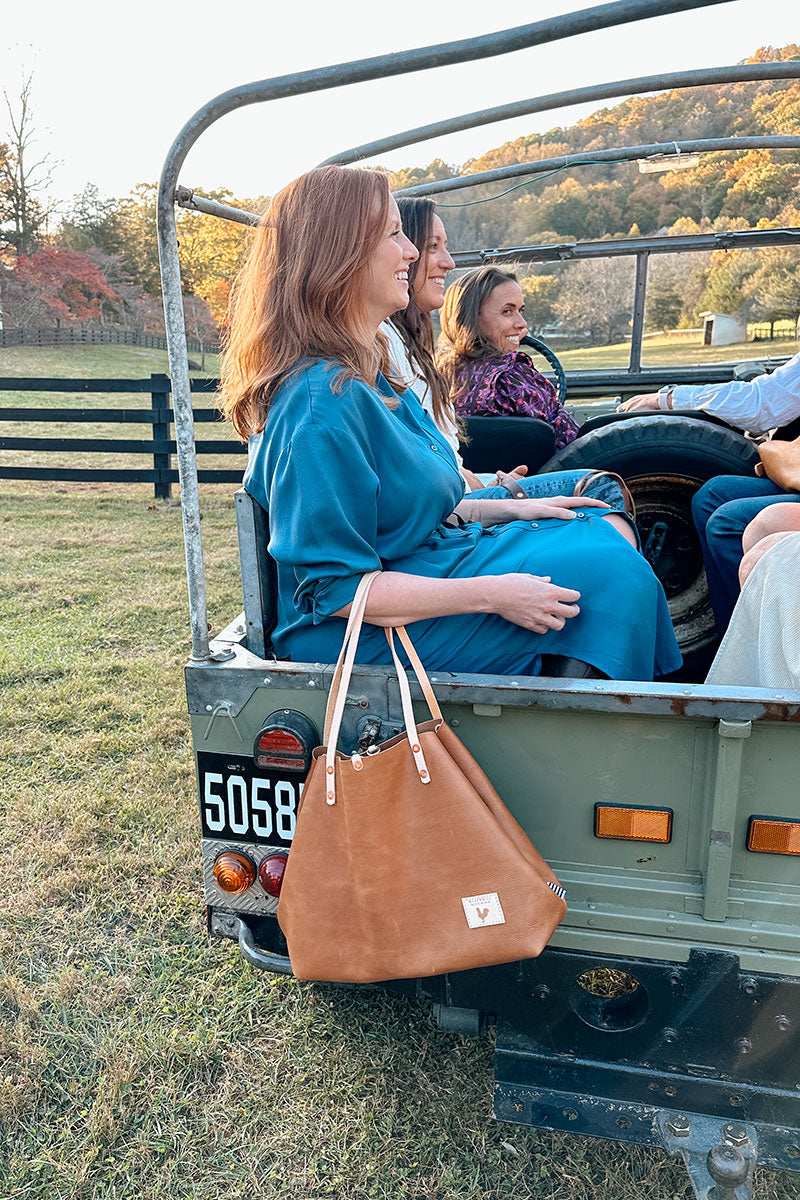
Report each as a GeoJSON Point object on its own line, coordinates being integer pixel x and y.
{"type": "Point", "coordinates": [406, 863]}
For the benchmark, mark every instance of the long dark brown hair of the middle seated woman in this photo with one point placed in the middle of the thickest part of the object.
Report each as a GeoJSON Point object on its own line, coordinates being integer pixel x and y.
{"type": "Point", "coordinates": [413, 323]}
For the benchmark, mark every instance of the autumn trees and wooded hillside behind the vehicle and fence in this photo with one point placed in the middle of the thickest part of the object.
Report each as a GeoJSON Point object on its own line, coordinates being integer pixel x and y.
{"type": "Point", "coordinates": [98, 261]}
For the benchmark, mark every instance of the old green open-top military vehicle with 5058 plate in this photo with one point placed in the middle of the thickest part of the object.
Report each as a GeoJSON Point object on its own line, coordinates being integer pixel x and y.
{"type": "Point", "coordinates": [667, 1009]}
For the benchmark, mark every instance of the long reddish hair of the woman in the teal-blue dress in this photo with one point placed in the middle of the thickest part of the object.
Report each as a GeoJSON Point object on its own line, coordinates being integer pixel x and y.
{"type": "Point", "coordinates": [299, 296]}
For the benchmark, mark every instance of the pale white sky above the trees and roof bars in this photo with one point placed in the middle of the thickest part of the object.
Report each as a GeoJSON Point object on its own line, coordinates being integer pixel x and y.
{"type": "Point", "coordinates": [113, 86]}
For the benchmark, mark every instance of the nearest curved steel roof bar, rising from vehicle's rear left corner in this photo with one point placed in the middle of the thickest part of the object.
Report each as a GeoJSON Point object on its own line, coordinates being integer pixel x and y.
{"type": "Point", "coordinates": [604, 16]}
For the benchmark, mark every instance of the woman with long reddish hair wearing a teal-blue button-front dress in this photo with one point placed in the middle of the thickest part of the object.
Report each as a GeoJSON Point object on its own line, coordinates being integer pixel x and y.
{"type": "Point", "coordinates": [357, 478]}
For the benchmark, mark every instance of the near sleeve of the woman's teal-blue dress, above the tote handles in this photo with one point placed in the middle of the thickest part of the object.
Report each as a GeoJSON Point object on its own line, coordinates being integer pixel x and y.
{"type": "Point", "coordinates": [324, 517]}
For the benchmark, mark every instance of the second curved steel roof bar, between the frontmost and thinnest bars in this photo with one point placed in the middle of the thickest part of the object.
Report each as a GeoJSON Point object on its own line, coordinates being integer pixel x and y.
{"type": "Point", "coordinates": [745, 73]}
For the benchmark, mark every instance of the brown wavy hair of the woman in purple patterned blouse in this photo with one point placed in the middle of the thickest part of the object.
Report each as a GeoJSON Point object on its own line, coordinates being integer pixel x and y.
{"type": "Point", "coordinates": [461, 339]}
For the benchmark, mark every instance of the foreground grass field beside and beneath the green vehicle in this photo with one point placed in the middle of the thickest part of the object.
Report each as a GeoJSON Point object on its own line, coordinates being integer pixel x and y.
{"type": "Point", "coordinates": [139, 1061]}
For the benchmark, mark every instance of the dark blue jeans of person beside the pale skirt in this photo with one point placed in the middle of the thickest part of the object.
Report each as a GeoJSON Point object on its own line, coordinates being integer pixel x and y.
{"type": "Point", "coordinates": [721, 511]}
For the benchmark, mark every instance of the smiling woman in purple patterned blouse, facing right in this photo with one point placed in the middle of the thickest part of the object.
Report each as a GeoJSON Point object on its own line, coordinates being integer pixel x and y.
{"type": "Point", "coordinates": [479, 355]}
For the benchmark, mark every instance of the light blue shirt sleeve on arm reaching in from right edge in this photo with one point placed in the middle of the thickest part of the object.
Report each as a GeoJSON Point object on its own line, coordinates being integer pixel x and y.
{"type": "Point", "coordinates": [763, 404]}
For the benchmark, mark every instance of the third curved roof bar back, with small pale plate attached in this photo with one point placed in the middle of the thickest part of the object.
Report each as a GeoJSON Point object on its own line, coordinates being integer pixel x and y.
{"type": "Point", "coordinates": [615, 154]}
